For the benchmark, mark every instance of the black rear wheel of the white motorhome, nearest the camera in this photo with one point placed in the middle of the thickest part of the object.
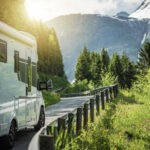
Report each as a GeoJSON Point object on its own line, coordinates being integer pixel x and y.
{"type": "Point", "coordinates": [10, 139]}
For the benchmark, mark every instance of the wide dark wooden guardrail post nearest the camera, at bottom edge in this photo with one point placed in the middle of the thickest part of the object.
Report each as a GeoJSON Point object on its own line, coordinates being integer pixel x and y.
{"type": "Point", "coordinates": [46, 142]}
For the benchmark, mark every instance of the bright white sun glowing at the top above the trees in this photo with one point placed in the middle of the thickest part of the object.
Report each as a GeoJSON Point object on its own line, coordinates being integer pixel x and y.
{"type": "Point", "coordinates": [33, 9]}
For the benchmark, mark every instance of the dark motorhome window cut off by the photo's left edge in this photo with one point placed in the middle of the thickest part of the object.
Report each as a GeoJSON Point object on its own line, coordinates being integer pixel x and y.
{"type": "Point", "coordinates": [3, 51]}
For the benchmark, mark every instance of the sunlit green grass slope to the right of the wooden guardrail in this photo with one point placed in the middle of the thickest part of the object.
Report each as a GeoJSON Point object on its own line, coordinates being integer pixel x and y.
{"type": "Point", "coordinates": [124, 125]}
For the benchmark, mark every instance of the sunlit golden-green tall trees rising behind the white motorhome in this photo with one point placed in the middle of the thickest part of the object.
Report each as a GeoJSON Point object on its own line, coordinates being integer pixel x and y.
{"type": "Point", "coordinates": [13, 12]}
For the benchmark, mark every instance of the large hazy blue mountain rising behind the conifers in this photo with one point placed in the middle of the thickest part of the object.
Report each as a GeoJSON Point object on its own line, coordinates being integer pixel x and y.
{"type": "Point", "coordinates": [117, 34]}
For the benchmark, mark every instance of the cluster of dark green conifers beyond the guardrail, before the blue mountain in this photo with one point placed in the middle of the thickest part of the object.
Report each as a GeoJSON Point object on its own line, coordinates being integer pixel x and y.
{"type": "Point", "coordinates": [99, 68]}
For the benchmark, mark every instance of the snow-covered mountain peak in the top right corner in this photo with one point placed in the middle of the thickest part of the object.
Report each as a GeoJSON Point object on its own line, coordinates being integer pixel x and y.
{"type": "Point", "coordinates": [143, 11]}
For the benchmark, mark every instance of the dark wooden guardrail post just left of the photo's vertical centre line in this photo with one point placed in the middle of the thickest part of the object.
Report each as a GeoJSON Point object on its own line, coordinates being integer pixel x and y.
{"type": "Point", "coordinates": [70, 123]}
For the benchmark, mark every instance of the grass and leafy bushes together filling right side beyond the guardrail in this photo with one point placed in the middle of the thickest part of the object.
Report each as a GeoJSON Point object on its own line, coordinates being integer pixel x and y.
{"type": "Point", "coordinates": [125, 123]}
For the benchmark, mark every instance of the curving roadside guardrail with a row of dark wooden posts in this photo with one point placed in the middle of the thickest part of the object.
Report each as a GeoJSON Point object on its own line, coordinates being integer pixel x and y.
{"type": "Point", "coordinates": [79, 116]}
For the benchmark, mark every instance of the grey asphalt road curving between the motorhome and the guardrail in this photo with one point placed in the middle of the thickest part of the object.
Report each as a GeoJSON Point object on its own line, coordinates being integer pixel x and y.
{"type": "Point", "coordinates": [28, 140]}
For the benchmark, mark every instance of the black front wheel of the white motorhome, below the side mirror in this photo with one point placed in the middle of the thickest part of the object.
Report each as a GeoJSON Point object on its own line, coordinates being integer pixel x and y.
{"type": "Point", "coordinates": [41, 121]}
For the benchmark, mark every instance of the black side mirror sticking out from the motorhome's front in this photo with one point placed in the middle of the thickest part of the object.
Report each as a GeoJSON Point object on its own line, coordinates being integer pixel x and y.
{"type": "Point", "coordinates": [45, 85]}
